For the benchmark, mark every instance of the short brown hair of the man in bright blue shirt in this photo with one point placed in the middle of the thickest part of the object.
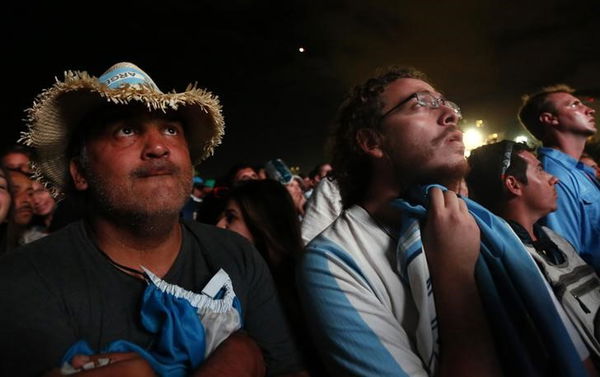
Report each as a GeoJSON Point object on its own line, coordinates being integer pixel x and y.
{"type": "Point", "coordinates": [537, 103]}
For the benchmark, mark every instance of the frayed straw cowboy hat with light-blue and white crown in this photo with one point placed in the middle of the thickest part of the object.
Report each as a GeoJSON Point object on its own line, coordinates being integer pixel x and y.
{"type": "Point", "coordinates": [59, 110]}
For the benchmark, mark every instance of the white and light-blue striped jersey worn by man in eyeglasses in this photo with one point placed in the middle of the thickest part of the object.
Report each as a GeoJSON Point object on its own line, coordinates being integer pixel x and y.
{"type": "Point", "coordinates": [360, 314]}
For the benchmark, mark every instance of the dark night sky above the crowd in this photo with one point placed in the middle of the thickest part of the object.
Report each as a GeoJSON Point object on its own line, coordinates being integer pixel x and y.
{"type": "Point", "coordinates": [278, 102]}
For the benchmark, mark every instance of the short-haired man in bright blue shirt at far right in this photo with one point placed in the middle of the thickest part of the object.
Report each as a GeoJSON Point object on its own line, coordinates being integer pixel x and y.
{"type": "Point", "coordinates": [562, 122]}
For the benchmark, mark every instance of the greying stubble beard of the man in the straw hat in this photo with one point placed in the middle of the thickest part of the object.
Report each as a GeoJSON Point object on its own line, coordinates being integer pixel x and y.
{"type": "Point", "coordinates": [122, 205]}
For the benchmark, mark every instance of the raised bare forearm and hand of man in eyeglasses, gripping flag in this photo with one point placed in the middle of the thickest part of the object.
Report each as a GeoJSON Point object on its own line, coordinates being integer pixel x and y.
{"type": "Point", "coordinates": [452, 243]}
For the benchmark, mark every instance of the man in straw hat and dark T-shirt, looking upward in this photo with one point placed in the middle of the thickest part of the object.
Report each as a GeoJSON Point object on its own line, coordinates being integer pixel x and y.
{"type": "Point", "coordinates": [131, 289]}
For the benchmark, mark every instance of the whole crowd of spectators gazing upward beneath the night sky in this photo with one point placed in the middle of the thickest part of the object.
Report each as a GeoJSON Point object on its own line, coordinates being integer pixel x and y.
{"type": "Point", "coordinates": [399, 257]}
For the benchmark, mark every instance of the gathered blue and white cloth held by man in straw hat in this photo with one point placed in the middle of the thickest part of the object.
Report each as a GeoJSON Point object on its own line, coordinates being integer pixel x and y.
{"type": "Point", "coordinates": [188, 326]}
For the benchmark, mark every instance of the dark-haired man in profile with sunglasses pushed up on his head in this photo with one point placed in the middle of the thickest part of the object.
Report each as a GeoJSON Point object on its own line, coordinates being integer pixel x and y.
{"type": "Point", "coordinates": [509, 180]}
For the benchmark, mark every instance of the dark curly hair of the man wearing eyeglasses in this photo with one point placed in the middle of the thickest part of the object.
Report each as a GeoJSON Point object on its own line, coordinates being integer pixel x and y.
{"type": "Point", "coordinates": [361, 109]}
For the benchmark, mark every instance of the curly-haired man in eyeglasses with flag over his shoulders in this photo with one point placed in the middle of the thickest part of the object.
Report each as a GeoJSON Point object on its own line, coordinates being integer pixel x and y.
{"type": "Point", "coordinates": [402, 283]}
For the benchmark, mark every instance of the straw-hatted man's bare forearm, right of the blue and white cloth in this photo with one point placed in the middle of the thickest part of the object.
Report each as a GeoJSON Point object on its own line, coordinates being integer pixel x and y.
{"type": "Point", "coordinates": [239, 356]}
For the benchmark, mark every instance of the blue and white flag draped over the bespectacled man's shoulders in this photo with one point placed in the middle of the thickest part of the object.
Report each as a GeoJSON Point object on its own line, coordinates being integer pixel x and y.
{"type": "Point", "coordinates": [529, 334]}
